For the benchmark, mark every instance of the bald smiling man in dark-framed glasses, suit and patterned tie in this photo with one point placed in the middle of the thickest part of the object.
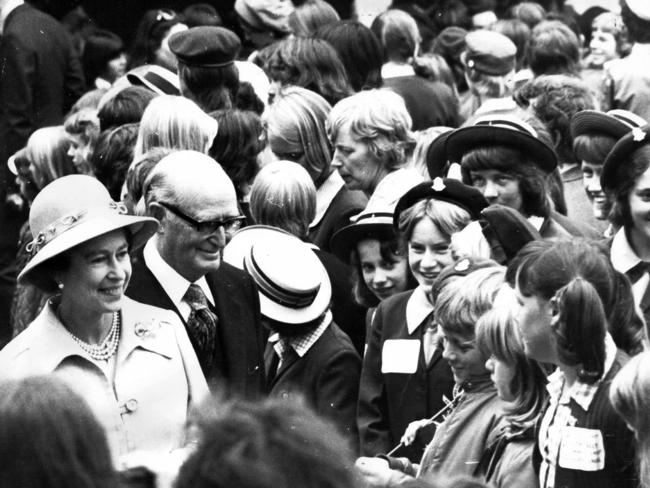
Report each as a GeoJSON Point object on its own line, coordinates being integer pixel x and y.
{"type": "Point", "coordinates": [181, 269]}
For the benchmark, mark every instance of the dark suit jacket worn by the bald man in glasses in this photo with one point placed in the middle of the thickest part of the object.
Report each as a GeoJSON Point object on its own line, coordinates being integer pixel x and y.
{"type": "Point", "coordinates": [241, 334]}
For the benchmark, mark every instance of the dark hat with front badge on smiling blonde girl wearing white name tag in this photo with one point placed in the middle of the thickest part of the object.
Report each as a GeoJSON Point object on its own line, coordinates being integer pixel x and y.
{"type": "Point", "coordinates": [445, 189]}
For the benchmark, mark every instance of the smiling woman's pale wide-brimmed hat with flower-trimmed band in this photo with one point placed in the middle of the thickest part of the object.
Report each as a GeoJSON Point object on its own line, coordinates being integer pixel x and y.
{"type": "Point", "coordinates": [70, 211]}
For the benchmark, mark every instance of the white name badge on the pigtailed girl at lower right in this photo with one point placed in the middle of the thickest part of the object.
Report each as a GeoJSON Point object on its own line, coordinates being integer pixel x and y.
{"type": "Point", "coordinates": [582, 449]}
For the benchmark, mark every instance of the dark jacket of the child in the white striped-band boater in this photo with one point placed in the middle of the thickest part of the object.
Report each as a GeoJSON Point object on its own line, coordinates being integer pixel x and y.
{"type": "Point", "coordinates": [327, 376]}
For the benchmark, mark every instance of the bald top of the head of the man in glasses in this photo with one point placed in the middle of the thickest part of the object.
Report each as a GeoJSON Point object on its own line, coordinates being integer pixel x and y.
{"type": "Point", "coordinates": [188, 176]}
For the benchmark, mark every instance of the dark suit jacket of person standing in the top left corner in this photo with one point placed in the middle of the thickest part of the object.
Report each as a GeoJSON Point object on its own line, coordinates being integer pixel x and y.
{"type": "Point", "coordinates": [40, 78]}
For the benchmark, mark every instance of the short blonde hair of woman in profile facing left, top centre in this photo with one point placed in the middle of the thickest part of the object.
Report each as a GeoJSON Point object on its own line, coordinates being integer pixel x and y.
{"type": "Point", "coordinates": [378, 118]}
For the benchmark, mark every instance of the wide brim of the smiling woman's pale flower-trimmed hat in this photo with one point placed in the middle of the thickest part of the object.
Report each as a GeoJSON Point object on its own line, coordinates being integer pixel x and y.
{"type": "Point", "coordinates": [140, 228]}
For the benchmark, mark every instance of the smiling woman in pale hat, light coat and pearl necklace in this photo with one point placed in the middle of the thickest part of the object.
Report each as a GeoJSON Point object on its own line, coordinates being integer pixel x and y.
{"type": "Point", "coordinates": [133, 363]}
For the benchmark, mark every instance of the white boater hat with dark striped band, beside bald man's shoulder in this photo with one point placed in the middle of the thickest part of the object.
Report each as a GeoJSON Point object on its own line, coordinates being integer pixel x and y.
{"type": "Point", "coordinates": [293, 284]}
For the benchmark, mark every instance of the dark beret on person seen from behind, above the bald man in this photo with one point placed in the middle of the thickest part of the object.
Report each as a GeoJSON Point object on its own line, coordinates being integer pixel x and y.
{"type": "Point", "coordinates": [206, 46]}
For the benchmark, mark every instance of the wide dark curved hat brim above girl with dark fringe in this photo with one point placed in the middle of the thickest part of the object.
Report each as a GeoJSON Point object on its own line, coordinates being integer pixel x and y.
{"type": "Point", "coordinates": [463, 140]}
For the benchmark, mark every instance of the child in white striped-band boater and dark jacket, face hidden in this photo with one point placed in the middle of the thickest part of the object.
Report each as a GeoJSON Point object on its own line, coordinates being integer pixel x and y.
{"type": "Point", "coordinates": [307, 356]}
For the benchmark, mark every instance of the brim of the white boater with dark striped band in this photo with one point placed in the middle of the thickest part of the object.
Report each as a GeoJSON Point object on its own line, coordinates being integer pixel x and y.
{"type": "Point", "coordinates": [240, 246]}
